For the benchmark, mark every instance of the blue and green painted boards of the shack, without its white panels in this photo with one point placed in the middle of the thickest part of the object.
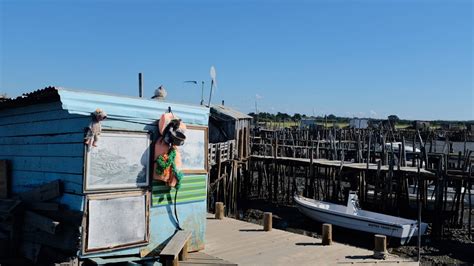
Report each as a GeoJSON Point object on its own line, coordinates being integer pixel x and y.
{"type": "Point", "coordinates": [44, 142]}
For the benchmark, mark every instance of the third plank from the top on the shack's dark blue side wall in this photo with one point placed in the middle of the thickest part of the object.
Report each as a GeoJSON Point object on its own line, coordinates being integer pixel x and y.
{"type": "Point", "coordinates": [47, 139]}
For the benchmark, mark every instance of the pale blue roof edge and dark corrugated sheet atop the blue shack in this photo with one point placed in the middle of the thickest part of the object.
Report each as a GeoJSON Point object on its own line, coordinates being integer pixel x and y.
{"type": "Point", "coordinates": [127, 108]}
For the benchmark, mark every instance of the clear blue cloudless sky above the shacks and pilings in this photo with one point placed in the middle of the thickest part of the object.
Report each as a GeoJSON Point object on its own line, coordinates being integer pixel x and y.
{"type": "Point", "coordinates": [367, 58]}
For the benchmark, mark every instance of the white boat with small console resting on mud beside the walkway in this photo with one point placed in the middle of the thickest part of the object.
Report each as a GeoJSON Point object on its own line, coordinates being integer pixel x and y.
{"type": "Point", "coordinates": [352, 217]}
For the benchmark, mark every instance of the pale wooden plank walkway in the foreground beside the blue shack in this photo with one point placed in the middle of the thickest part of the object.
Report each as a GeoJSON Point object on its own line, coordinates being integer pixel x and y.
{"type": "Point", "coordinates": [247, 244]}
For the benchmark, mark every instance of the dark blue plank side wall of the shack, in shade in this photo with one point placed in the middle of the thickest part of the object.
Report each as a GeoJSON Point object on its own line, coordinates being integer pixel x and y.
{"type": "Point", "coordinates": [44, 143]}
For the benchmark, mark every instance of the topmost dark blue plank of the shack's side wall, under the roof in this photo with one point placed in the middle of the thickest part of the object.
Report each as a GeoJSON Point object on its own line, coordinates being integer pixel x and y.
{"type": "Point", "coordinates": [36, 117]}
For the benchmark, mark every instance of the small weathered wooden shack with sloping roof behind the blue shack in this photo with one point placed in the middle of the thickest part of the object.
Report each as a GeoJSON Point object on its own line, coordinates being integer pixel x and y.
{"type": "Point", "coordinates": [227, 124]}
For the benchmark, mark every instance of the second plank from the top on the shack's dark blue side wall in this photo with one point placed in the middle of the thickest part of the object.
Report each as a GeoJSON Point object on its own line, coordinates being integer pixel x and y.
{"type": "Point", "coordinates": [74, 125]}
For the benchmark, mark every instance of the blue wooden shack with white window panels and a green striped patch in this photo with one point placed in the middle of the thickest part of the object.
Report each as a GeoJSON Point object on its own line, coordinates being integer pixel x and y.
{"type": "Point", "coordinates": [124, 211]}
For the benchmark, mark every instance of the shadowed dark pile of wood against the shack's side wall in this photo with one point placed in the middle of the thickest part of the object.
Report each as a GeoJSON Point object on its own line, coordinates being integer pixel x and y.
{"type": "Point", "coordinates": [35, 227]}
